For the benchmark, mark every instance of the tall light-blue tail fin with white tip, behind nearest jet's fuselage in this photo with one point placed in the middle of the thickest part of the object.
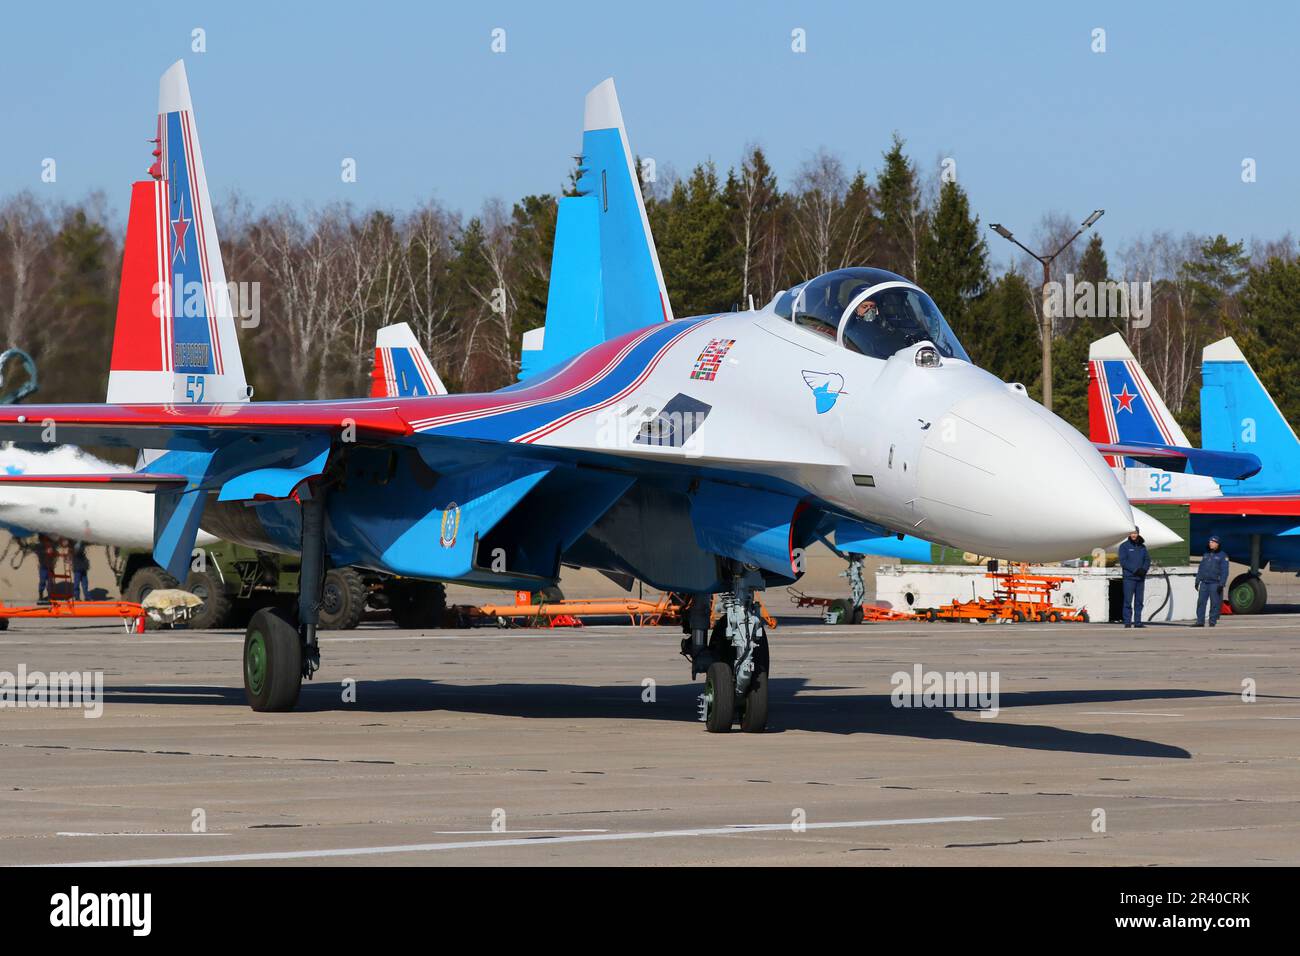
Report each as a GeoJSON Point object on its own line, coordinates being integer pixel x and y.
{"type": "Point", "coordinates": [605, 270]}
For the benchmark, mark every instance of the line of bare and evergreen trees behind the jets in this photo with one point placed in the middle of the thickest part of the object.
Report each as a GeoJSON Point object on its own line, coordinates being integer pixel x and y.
{"type": "Point", "coordinates": [471, 285]}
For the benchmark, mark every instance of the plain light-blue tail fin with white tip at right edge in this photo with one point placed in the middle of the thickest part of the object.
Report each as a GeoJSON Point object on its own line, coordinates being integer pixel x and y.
{"type": "Point", "coordinates": [1238, 414]}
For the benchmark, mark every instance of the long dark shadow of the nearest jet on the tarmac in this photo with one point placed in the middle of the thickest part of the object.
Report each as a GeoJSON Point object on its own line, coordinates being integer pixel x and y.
{"type": "Point", "coordinates": [795, 707]}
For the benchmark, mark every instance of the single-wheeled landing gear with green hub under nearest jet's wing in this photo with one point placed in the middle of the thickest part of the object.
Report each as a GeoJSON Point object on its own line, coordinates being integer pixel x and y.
{"type": "Point", "coordinates": [279, 652]}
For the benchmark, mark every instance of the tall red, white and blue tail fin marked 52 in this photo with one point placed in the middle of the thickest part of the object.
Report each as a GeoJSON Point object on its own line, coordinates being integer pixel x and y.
{"type": "Point", "coordinates": [175, 339]}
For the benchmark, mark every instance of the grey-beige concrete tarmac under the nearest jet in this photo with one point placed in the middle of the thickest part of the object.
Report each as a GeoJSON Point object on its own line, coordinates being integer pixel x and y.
{"type": "Point", "coordinates": [492, 747]}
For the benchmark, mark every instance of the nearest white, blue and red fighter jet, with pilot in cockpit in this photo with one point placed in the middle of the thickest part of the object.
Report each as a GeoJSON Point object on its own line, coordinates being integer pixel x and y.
{"type": "Point", "coordinates": [699, 455]}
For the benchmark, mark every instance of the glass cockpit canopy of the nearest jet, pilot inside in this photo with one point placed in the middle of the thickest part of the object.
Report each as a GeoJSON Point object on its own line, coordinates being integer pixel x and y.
{"type": "Point", "coordinates": [869, 312]}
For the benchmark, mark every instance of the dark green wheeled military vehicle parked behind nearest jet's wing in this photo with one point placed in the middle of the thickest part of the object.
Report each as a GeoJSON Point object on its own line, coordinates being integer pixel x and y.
{"type": "Point", "coordinates": [235, 581]}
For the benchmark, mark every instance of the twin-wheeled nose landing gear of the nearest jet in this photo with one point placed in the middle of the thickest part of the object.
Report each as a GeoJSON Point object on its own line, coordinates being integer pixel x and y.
{"type": "Point", "coordinates": [733, 656]}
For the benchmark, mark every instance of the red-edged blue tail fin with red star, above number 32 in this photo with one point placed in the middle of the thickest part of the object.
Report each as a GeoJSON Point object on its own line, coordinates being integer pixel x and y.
{"type": "Point", "coordinates": [1124, 406]}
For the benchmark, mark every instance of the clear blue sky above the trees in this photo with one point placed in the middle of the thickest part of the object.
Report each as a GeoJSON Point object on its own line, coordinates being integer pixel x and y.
{"type": "Point", "coordinates": [1154, 131]}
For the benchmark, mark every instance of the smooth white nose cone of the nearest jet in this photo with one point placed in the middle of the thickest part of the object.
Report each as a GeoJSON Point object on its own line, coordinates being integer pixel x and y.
{"type": "Point", "coordinates": [1004, 477]}
